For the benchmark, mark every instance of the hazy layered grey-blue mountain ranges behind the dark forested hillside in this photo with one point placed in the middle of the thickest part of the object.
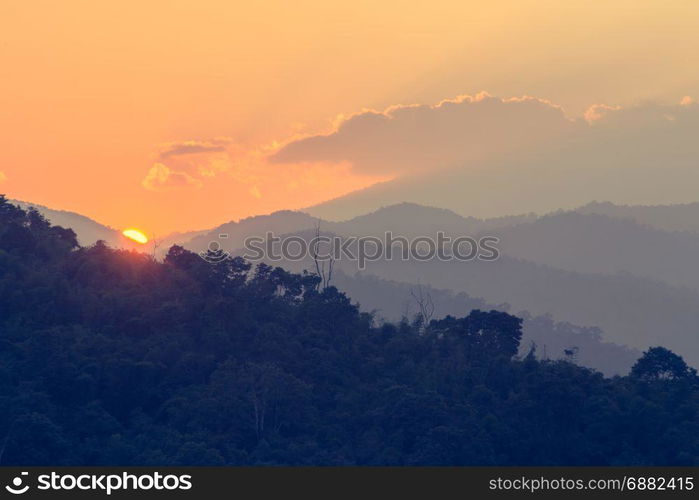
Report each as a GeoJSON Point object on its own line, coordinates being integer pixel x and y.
{"type": "Point", "coordinates": [626, 274]}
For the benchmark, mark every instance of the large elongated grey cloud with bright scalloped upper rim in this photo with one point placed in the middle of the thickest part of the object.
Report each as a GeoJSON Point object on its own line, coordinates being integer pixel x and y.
{"type": "Point", "coordinates": [463, 131]}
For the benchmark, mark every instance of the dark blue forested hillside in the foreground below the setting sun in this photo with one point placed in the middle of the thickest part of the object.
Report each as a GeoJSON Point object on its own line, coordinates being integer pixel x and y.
{"type": "Point", "coordinates": [111, 357]}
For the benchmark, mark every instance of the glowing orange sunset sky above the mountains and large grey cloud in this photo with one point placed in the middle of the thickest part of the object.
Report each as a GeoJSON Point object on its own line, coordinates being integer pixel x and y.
{"type": "Point", "coordinates": [169, 115]}
